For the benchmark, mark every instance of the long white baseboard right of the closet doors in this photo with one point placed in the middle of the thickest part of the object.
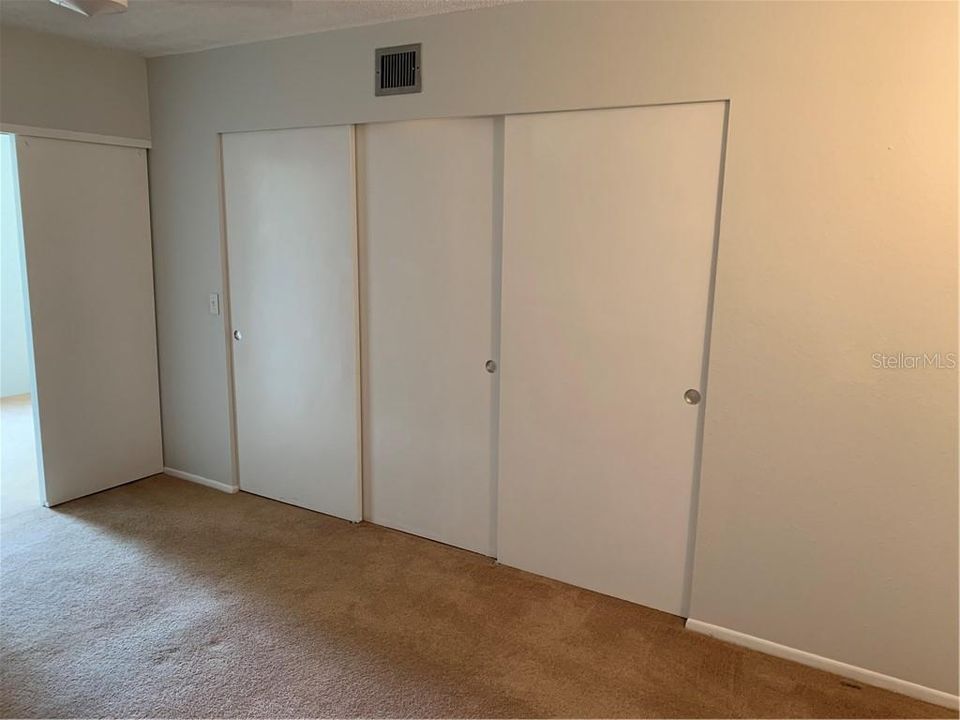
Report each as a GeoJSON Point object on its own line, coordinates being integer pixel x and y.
{"type": "Point", "coordinates": [868, 677]}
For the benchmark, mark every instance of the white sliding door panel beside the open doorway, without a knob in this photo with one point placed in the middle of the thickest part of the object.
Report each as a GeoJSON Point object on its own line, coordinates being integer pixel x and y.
{"type": "Point", "coordinates": [86, 228]}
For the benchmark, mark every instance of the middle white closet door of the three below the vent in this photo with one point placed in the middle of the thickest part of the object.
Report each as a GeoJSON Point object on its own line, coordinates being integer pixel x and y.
{"type": "Point", "coordinates": [427, 278]}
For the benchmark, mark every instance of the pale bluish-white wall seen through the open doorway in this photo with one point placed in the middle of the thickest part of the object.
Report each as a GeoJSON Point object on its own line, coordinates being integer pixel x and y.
{"type": "Point", "coordinates": [14, 363]}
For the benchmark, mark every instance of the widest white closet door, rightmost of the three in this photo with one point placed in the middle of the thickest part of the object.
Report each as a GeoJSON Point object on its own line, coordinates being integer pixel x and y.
{"type": "Point", "coordinates": [609, 223]}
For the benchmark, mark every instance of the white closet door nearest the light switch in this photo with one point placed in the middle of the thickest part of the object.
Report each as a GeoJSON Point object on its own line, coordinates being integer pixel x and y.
{"type": "Point", "coordinates": [292, 257]}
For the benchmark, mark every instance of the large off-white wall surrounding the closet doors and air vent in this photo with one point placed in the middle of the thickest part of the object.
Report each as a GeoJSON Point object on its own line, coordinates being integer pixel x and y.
{"type": "Point", "coordinates": [828, 514]}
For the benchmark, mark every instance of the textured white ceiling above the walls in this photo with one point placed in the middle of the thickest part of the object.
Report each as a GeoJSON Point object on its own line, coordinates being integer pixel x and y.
{"type": "Point", "coordinates": [166, 27]}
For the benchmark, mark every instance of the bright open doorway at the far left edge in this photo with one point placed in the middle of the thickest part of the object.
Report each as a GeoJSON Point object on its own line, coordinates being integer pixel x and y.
{"type": "Point", "coordinates": [19, 469]}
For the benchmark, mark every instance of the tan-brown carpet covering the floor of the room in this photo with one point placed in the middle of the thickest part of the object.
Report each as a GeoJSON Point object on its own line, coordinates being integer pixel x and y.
{"type": "Point", "coordinates": [163, 598]}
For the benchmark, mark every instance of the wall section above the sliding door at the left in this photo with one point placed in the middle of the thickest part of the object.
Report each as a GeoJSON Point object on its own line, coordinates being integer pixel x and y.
{"type": "Point", "coordinates": [47, 81]}
